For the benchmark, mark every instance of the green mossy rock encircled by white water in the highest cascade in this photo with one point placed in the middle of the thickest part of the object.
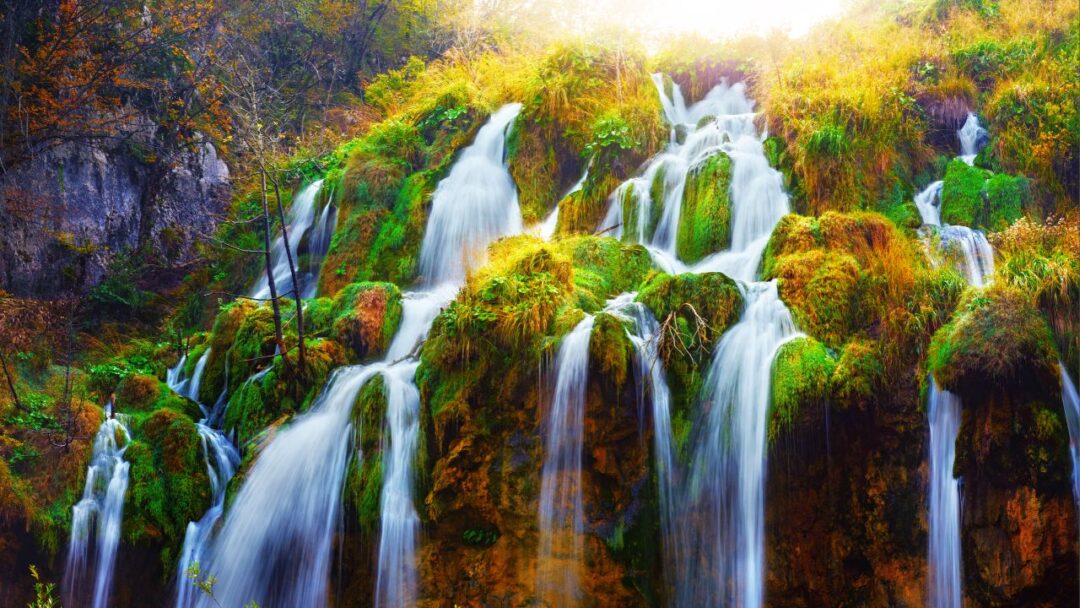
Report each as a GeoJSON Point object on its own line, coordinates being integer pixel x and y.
{"type": "Point", "coordinates": [706, 222]}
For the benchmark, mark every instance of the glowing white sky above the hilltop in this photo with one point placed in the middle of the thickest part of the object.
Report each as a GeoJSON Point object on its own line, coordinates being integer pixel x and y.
{"type": "Point", "coordinates": [721, 19]}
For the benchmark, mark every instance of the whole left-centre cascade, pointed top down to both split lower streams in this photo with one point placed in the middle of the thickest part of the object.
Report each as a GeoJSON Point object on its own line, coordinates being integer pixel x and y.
{"type": "Point", "coordinates": [276, 545]}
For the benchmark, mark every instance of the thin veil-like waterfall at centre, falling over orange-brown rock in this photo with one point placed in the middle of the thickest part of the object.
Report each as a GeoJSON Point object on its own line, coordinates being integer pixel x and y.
{"type": "Point", "coordinates": [562, 512]}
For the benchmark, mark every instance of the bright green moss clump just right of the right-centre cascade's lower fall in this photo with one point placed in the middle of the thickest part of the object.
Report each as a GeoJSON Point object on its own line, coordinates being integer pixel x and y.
{"type": "Point", "coordinates": [801, 377]}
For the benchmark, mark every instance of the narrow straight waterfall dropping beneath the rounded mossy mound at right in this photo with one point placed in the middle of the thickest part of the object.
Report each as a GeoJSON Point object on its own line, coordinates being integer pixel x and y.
{"type": "Point", "coordinates": [944, 577]}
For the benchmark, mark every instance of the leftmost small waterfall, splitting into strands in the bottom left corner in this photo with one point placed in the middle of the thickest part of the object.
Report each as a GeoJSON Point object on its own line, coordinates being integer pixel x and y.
{"type": "Point", "coordinates": [100, 515]}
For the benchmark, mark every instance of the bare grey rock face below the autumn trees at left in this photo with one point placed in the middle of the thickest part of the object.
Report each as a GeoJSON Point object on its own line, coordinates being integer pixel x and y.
{"type": "Point", "coordinates": [66, 215]}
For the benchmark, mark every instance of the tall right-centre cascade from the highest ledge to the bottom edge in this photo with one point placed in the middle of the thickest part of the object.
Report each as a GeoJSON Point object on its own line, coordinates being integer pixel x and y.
{"type": "Point", "coordinates": [714, 535]}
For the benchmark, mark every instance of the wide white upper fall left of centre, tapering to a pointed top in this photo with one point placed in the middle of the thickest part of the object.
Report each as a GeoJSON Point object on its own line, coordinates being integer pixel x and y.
{"type": "Point", "coordinates": [476, 205]}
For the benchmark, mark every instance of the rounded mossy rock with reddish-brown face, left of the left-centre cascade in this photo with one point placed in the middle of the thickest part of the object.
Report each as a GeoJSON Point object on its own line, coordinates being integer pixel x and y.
{"type": "Point", "coordinates": [366, 317]}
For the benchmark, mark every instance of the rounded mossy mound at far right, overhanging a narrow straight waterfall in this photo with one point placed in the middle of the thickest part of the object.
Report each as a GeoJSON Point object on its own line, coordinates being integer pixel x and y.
{"type": "Point", "coordinates": [997, 339]}
